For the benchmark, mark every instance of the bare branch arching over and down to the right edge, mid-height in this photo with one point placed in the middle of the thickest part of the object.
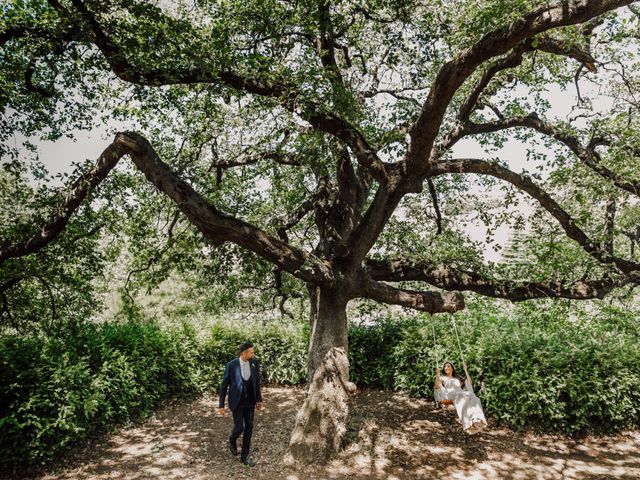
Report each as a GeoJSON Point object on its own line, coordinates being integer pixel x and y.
{"type": "Point", "coordinates": [525, 184]}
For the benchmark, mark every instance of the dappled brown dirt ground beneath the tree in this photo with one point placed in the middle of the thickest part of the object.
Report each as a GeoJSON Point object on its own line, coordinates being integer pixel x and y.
{"type": "Point", "coordinates": [391, 437]}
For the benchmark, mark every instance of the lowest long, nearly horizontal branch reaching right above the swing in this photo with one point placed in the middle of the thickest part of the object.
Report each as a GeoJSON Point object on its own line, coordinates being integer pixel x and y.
{"type": "Point", "coordinates": [450, 278]}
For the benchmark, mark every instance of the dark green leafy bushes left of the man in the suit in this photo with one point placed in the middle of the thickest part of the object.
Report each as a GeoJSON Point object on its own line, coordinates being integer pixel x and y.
{"type": "Point", "coordinates": [57, 390]}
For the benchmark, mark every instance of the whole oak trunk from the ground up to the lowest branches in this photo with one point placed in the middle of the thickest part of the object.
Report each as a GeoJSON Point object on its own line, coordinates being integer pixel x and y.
{"type": "Point", "coordinates": [321, 422]}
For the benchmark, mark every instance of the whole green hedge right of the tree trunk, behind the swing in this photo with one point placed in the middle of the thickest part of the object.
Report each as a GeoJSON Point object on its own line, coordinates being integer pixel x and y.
{"type": "Point", "coordinates": [535, 367]}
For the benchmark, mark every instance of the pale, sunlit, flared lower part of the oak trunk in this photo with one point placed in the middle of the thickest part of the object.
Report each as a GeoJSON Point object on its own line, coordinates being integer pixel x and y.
{"type": "Point", "coordinates": [321, 422]}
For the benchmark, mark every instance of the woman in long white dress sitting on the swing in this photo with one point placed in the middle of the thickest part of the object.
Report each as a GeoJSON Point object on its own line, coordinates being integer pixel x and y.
{"type": "Point", "coordinates": [450, 389]}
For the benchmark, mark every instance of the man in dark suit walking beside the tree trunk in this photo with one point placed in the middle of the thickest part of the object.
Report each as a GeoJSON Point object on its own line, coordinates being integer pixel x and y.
{"type": "Point", "coordinates": [242, 381]}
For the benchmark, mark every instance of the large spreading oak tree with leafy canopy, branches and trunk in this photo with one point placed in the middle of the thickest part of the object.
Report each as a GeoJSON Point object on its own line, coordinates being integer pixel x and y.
{"type": "Point", "coordinates": [309, 132]}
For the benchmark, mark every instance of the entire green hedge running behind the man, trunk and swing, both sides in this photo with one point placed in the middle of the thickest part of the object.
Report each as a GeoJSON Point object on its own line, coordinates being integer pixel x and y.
{"type": "Point", "coordinates": [547, 365]}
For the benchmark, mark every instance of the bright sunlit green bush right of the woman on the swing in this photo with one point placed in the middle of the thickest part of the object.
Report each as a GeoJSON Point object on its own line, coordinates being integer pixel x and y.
{"type": "Point", "coordinates": [561, 375]}
